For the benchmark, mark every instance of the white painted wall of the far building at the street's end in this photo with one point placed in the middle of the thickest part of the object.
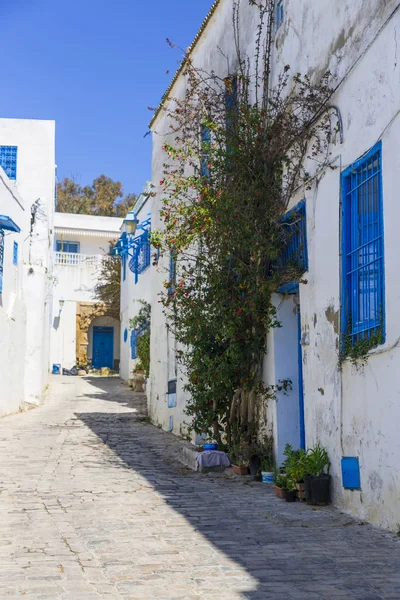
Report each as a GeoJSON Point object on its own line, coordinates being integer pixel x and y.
{"type": "Point", "coordinates": [75, 283]}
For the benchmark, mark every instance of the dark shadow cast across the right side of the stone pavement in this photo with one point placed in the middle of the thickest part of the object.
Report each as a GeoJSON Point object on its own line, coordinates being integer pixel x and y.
{"type": "Point", "coordinates": [290, 551]}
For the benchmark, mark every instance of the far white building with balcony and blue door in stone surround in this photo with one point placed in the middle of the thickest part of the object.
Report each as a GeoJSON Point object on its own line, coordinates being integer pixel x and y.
{"type": "Point", "coordinates": [81, 333]}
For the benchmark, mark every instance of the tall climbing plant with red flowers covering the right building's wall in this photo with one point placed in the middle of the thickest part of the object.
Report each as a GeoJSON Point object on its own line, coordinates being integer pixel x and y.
{"type": "Point", "coordinates": [235, 153]}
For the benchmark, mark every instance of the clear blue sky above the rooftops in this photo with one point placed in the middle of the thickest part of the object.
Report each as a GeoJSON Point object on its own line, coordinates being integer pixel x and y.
{"type": "Point", "coordinates": [94, 66]}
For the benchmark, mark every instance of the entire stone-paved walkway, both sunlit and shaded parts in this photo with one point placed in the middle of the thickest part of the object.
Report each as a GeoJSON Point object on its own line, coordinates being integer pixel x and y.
{"type": "Point", "coordinates": [93, 505]}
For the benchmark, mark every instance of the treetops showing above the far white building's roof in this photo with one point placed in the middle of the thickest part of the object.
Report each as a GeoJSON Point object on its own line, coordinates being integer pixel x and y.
{"type": "Point", "coordinates": [104, 197]}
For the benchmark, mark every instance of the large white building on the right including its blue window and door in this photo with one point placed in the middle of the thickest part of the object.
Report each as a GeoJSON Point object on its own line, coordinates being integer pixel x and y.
{"type": "Point", "coordinates": [353, 413]}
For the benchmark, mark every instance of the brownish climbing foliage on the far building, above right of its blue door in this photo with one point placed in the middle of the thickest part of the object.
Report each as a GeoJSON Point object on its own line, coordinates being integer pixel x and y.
{"type": "Point", "coordinates": [108, 289]}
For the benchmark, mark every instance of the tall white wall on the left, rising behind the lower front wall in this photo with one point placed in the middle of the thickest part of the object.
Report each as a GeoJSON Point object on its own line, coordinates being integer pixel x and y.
{"type": "Point", "coordinates": [35, 183]}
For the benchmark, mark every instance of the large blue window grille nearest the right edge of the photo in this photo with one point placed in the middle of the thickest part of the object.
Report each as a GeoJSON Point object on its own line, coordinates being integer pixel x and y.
{"type": "Point", "coordinates": [363, 303]}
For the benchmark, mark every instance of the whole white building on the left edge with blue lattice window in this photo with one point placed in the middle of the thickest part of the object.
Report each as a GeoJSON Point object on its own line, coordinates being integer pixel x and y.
{"type": "Point", "coordinates": [27, 190]}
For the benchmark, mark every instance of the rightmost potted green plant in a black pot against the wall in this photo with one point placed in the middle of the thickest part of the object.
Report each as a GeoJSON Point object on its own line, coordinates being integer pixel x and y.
{"type": "Point", "coordinates": [317, 478]}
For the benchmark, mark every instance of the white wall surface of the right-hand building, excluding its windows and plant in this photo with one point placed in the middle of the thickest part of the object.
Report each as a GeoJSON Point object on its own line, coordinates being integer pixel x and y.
{"type": "Point", "coordinates": [352, 414]}
